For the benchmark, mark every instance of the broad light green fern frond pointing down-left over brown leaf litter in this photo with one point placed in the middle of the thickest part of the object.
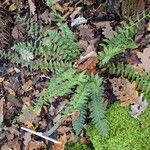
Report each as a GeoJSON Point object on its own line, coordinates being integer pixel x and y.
{"type": "Point", "coordinates": [60, 85]}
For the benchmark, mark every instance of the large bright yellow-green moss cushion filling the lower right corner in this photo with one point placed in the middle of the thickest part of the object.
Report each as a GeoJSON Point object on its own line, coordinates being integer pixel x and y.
{"type": "Point", "coordinates": [125, 133]}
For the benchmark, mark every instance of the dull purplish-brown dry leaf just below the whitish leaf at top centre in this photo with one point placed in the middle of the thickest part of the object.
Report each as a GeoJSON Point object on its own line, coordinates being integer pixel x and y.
{"type": "Point", "coordinates": [86, 33]}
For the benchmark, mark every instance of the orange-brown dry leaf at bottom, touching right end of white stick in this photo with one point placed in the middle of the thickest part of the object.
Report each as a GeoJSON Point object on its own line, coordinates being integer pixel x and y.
{"type": "Point", "coordinates": [62, 139]}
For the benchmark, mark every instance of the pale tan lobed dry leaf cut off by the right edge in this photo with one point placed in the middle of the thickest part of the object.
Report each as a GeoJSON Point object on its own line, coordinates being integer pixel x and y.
{"type": "Point", "coordinates": [145, 59]}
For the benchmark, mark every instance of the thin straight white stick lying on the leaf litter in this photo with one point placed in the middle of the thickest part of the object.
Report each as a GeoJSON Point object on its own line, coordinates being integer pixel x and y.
{"type": "Point", "coordinates": [41, 135]}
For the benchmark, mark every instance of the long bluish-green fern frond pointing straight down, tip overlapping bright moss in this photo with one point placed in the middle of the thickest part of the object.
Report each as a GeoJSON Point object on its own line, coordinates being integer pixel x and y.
{"type": "Point", "coordinates": [97, 106]}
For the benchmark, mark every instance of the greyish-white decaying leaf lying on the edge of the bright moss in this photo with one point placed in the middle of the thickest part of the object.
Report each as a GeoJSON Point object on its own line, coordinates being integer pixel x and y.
{"type": "Point", "coordinates": [138, 107]}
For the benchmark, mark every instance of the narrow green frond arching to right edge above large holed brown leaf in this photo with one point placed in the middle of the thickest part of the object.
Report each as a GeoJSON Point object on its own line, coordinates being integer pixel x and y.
{"type": "Point", "coordinates": [141, 78]}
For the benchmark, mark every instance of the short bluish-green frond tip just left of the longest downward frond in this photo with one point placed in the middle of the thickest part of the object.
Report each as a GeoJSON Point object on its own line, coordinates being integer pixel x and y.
{"type": "Point", "coordinates": [79, 122]}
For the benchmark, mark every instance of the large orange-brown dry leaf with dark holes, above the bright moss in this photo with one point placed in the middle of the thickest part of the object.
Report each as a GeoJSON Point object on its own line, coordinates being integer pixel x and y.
{"type": "Point", "coordinates": [124, 90]}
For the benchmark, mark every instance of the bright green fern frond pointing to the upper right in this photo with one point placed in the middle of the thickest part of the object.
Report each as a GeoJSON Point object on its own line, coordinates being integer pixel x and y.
{"type": "Point", "coordinates": [122, 40]}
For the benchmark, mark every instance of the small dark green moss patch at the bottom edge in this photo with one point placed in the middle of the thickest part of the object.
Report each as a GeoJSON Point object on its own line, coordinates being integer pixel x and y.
{"type": "Point", "coordinates": [77, 146]}
